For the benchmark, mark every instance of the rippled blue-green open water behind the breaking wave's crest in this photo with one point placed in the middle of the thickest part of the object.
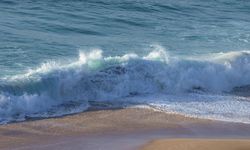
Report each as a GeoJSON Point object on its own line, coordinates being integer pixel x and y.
{"type": "Point", "coordinates": [32, 32]}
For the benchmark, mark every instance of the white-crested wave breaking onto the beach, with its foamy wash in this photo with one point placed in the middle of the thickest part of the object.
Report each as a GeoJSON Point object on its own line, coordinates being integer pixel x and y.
{"type": "Point", "coordinates": [55, 89]}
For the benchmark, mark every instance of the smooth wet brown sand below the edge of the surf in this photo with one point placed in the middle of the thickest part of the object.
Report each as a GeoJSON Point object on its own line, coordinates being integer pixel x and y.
{"type": "Point", "coordinates": [120, 129]}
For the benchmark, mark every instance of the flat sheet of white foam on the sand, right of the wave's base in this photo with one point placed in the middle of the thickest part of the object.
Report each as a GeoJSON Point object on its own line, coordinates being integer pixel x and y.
{"type": "Point", "coordinates": [215, 107]}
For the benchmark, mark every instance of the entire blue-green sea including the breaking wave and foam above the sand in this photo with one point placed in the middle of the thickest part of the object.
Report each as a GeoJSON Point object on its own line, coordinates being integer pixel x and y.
{"type": "Point", "coordinates": [59, 57]}
